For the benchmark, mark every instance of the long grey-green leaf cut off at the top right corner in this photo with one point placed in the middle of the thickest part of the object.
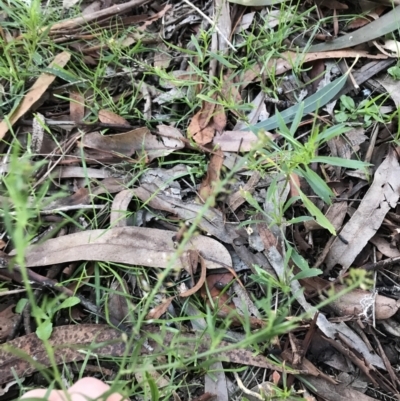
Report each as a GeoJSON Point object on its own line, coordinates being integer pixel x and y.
{"type": "Point", "coordinates": [375, 29]}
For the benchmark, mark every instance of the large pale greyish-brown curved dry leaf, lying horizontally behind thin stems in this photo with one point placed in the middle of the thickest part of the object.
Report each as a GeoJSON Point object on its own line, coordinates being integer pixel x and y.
{"type": "Point", "coordinates": [131, 245]}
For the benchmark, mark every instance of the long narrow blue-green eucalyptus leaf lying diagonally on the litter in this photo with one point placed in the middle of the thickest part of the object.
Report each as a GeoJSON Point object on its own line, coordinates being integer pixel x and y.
{"type": "Point", "coordinates": [312, 103]}
